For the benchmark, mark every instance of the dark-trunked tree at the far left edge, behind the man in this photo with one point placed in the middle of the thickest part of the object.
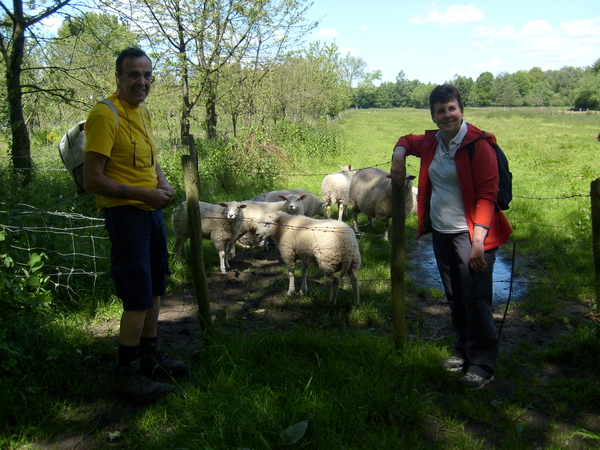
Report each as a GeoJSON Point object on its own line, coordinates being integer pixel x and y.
{"type": "Point", "coordinates": [17, 26]}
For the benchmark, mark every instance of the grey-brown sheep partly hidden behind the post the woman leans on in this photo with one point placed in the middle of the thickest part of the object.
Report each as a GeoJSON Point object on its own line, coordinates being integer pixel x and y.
{"type": "Point", "coordinates": [371, 193]}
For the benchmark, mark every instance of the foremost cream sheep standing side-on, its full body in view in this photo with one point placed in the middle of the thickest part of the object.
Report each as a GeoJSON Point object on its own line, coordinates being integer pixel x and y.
{"type": "Point", "coordinates": [330, 245]}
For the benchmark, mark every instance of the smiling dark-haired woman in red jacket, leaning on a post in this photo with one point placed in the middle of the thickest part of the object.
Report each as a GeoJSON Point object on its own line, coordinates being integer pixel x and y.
{"type": "Point", "coordinates": [457, 204]}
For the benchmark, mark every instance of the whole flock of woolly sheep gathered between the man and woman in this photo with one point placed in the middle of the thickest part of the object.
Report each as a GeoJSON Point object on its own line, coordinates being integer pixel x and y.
{"type": "Point", "coordinates": [287, 217]}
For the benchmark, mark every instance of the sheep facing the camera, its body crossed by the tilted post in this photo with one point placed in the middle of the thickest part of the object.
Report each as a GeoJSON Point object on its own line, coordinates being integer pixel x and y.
{"type": "Point", "coordinates": [220, 223]}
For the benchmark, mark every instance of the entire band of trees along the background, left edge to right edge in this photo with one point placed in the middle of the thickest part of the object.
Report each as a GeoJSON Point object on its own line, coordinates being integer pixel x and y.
{"type": "Point", "coordinates": [221, 68]}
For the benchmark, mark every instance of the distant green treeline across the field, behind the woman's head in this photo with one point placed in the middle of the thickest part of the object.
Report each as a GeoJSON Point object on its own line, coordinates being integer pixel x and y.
{"type": "Point", "coordinates": [569, 87]}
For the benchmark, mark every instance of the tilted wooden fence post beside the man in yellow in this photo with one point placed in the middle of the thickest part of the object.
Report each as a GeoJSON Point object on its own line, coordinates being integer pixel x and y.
{"type": "Point", "coordinates": [190, 179]}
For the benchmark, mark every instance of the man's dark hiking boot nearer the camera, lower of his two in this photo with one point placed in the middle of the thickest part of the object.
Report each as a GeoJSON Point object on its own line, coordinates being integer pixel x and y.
{"type": "Point", "coordinates": [130, 383]}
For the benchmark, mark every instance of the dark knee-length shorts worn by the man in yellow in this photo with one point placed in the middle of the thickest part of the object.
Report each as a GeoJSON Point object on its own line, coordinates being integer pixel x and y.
{"type": "Point", "coordinates": [139, 257]}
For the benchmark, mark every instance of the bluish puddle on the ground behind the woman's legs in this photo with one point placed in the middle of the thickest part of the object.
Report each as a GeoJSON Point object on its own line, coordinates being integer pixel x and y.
{"type": "Point", "coordinates": [423, 270]}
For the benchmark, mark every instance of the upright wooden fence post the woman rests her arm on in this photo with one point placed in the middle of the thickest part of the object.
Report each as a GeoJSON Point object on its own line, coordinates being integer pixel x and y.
{"type": "Point", "coordinates": [398, 265]}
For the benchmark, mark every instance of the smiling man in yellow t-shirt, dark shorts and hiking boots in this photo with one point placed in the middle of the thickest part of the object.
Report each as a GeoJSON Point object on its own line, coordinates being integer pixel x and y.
{"type": "Point", "coordinates": [131, 189]}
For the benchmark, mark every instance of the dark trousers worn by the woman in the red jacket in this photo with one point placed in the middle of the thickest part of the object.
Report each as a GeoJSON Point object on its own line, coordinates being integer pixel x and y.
{"type": "Point", "coordinates": [470, 296]}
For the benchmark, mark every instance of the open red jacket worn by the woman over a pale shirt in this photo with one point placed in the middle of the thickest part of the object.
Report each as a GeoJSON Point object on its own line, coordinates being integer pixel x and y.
{"type": "Point", "coordinates": [478, 183]}
